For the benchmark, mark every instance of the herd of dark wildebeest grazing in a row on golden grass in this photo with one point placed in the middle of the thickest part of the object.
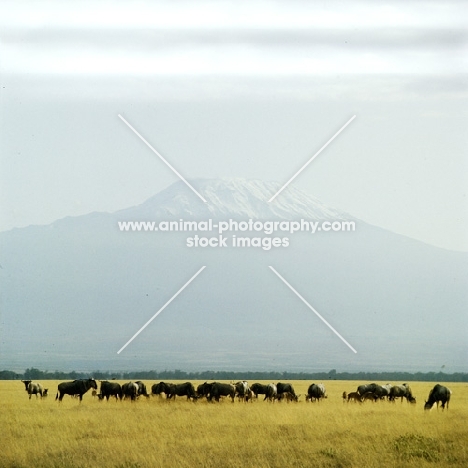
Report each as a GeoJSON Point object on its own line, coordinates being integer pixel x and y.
{"type": "Point", "coordinates": [214, 391]}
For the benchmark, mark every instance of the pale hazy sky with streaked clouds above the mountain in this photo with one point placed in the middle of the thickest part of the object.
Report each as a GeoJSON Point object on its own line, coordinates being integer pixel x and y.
{"type": "Point", "coordinates": [237, 89]}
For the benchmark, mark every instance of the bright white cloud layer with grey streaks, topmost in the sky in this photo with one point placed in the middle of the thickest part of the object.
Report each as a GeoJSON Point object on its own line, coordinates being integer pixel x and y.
{"type": "Point", "coordinates": [223, 38]}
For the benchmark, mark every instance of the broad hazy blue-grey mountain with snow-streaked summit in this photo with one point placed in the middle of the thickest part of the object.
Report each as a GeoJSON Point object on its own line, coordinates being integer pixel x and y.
{"type": "Point", "coordinates": [74, 292]}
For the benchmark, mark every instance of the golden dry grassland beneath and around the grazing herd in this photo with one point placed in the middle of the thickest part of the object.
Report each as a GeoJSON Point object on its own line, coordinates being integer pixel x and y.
{"type": "Point", "coordinates": [155, 432]}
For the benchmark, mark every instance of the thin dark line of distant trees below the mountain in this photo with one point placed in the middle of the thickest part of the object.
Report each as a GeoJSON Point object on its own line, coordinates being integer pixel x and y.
{"type": "Point", "coordinates": [36, 374]}
